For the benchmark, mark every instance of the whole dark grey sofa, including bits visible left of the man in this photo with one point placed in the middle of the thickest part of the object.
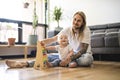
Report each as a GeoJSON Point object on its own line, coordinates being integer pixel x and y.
{"type": "Point", "coordinates": [105, 41]}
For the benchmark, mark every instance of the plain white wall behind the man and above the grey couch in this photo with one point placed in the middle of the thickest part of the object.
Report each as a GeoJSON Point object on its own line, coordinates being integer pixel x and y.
{"type": "Point", "coordinates": [97, 11]}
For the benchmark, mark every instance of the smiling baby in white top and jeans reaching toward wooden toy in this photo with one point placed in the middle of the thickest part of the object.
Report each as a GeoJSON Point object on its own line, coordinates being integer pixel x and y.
{"type": "Point", "coordinates": [64, 49]}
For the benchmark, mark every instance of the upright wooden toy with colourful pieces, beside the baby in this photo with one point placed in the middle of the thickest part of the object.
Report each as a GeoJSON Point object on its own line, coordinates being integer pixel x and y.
{"type": "Point", "coordinates": [41, 57]}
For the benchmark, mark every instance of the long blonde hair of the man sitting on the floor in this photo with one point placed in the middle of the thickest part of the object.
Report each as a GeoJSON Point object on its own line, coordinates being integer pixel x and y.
{"type": "Point", "coordinates": [83, 25]}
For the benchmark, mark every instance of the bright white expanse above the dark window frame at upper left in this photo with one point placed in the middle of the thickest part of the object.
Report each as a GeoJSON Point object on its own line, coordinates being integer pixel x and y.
{"type": "Point", "coordinates": [14, 9]}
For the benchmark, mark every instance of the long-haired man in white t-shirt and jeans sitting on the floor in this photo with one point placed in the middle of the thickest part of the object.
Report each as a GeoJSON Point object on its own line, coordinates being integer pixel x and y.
{"type": "Point", "coordinates": [79, 37]}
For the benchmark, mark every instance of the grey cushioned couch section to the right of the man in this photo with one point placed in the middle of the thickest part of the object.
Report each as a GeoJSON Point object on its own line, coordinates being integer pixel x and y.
{"type": "Point", "coordinates": [105, 39]}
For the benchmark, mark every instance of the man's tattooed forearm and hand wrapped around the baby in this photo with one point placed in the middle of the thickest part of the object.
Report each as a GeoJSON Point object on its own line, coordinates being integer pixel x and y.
{"type": "Point", "coordinates": [83, 50]}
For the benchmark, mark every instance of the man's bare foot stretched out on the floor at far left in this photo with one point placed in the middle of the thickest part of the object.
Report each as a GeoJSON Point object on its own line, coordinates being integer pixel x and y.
{"type": "Point", "coordinates": [15, 64]}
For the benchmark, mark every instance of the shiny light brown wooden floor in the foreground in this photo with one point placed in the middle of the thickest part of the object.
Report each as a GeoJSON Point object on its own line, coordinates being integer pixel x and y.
{"type": "Point", "coordinates": [100, 70]}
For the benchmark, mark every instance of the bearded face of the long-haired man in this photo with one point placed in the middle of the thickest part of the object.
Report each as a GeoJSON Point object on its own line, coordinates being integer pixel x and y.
{"type": "Point", "coordinates": [77, 22]}
